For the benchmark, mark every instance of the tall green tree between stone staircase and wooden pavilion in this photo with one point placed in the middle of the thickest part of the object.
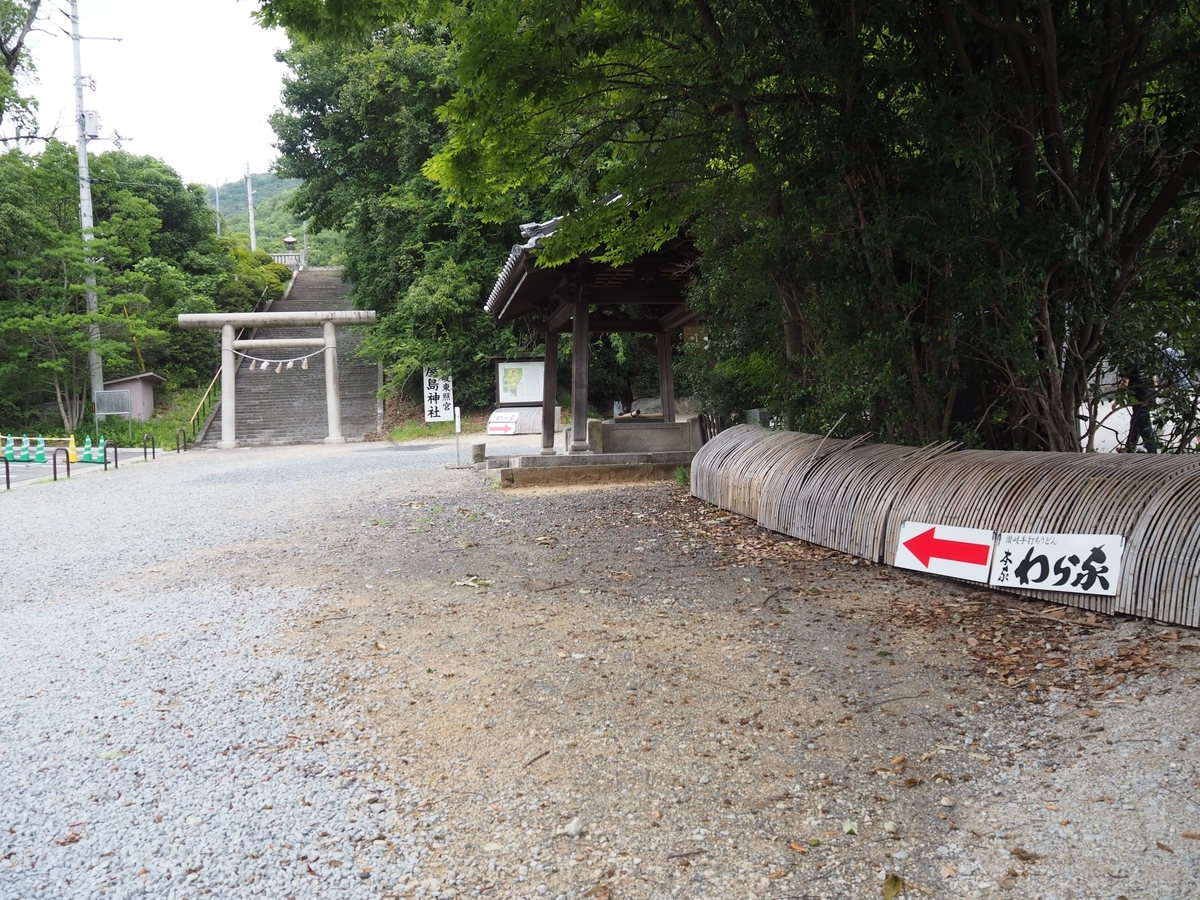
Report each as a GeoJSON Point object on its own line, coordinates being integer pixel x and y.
{"type": "Point", "coordinates": [361, 122]}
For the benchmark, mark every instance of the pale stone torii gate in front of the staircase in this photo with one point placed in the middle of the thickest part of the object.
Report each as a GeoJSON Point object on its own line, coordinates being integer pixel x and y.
{"type": "Point", "coordinates": [230, 322]}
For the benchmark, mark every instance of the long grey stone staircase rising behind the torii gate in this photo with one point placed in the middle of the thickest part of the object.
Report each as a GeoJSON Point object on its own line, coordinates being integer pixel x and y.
{"type": "Point", "coordinates": [290, 407]}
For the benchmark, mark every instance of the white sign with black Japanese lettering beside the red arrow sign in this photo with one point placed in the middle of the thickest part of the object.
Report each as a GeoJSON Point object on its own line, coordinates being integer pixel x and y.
{"type": "Point", "coordinates": [1075, 563]}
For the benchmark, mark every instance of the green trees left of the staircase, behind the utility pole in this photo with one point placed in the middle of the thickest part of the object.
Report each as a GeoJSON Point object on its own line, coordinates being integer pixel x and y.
{"type": "Point", "coordinates": [155, 255]}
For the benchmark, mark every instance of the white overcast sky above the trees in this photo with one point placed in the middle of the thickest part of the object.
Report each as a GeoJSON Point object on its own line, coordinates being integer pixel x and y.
{"type": "Point", "coordinates": [193, 82]}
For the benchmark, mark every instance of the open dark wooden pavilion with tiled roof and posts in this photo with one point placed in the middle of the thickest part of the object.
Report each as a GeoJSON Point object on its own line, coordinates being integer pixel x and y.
{"type": "Point", "coordinates": [585, 298]}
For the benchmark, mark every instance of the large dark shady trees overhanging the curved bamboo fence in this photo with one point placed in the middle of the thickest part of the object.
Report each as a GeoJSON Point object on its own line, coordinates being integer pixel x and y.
{"type": "Point", "coordinates": [937, 219]}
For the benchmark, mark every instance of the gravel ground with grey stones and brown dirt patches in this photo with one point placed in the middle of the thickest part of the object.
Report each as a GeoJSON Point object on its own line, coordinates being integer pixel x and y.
{"type": "Point", "coordinates": [355, 671]}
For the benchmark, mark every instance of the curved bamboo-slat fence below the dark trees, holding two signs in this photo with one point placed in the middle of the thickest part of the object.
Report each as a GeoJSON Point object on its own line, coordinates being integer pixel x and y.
{"type": "Point", "coordinates": [854, 497]}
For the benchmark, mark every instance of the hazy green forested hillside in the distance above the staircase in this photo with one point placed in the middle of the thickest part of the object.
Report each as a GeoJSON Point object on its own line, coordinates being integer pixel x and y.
{"type": "Point", "coordinates": [273, 219]}
